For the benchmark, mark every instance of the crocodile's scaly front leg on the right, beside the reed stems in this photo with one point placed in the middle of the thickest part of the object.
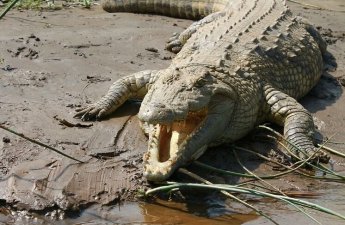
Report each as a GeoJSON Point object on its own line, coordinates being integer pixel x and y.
{"type": "Point", "coordinates": [298, 124]}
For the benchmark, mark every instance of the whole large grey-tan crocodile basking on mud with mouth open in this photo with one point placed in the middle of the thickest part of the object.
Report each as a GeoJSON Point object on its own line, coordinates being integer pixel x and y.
{"type": "Point", "coordinates": [243, 63]}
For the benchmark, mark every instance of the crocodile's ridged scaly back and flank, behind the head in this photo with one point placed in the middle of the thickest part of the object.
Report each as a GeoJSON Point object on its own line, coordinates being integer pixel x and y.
{"type": "Point", "coordinates": [261, 40]}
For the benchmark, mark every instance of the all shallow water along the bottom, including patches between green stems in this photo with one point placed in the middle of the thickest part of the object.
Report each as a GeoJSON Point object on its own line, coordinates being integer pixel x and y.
{"type": "Point", "coordinates": [212, 210]}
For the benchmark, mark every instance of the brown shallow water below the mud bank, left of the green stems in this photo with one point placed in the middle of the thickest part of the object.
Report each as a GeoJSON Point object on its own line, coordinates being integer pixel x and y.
{"type": "Point", "coordinates": [142, 213]}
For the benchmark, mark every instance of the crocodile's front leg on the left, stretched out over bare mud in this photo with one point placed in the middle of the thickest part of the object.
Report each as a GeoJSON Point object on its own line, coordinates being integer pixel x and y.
{"type": "Point", "coordinates": [132, 86]}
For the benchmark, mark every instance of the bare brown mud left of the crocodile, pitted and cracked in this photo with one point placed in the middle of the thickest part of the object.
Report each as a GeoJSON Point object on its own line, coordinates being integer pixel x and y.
{"type": "Point", "coordinates": [53, 62]}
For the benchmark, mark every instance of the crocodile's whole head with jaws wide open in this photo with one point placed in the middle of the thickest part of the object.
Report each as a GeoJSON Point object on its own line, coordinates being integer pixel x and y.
{"type": "Point", "coordinates": [186, 111]}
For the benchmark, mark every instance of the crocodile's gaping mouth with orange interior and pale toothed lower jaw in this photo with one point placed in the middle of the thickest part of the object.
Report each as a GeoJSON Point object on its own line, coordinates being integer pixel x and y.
{"type": "Point", "coordinates": [168, 143]}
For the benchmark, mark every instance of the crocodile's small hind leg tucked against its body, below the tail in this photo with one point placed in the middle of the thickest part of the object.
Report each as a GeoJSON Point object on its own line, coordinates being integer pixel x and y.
{"type": "Point", "coordinates": [177, 41]}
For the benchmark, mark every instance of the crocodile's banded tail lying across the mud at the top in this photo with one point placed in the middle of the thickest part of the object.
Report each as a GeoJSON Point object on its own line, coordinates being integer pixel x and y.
{"type": "Point", "coordinates": [189, 9]}
